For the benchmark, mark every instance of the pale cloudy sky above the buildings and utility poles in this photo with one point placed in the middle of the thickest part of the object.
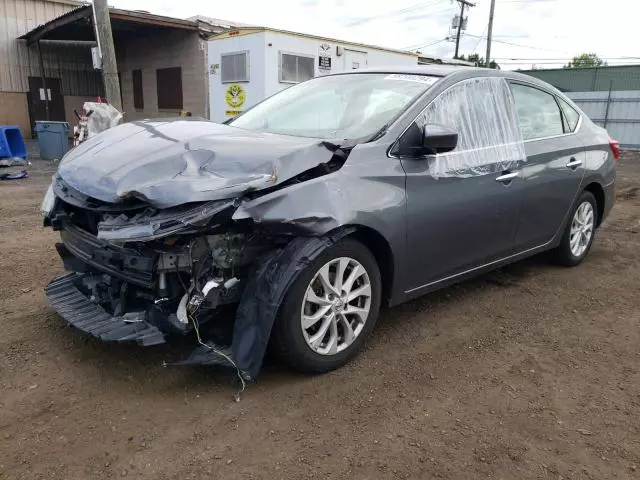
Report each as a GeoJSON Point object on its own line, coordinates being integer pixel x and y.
{"type": "Point", "coordinates": [527, 33]}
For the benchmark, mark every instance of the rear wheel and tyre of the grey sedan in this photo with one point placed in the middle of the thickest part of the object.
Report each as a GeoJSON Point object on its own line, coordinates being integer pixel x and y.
{"type": "Point", "coordinates": [579, 231]}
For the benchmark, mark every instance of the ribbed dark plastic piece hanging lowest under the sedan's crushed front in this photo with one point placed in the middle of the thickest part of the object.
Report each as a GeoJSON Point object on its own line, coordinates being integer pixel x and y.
{"type": "Point", "coordinates": [82, 313]}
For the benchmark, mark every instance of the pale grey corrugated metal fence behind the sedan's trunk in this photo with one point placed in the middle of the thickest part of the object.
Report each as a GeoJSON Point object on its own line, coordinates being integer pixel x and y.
{"type": "Point", "coordinates": [618, 113]}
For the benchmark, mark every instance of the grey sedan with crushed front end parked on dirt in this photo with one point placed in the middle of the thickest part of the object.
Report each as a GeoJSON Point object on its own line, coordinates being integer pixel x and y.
{"type": "Point", "coordinates": [295, 221]}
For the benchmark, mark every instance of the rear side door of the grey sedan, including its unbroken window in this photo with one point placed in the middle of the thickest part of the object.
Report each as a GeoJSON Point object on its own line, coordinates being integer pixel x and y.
{"type": "Point", "coordinates": [554, 168]}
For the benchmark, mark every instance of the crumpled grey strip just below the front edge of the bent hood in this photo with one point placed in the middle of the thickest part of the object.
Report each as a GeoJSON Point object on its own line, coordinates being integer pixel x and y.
{"type": "Point", "coordinates": [152, 224]}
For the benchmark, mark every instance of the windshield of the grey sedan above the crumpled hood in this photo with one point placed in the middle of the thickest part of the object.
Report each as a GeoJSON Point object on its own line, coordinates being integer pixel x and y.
{"type": "Point", "coordinates": [336, 106]}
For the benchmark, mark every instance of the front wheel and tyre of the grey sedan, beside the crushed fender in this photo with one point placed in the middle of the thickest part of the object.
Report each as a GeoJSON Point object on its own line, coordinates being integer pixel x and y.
{"type": "Point", "coordinates": [330, 309]}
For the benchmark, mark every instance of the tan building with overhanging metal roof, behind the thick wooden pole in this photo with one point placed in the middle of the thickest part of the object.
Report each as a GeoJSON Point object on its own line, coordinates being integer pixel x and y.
{"type": "Point", "coordinates": [46, 68]}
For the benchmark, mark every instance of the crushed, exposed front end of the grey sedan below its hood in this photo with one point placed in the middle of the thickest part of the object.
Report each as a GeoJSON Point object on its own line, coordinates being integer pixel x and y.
{"type": "Point", "coordinates": [143, 274]}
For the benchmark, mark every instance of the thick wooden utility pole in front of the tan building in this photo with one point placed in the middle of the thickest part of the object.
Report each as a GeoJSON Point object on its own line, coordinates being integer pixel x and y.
{"type": "Point", "coordinates": [105, 42]}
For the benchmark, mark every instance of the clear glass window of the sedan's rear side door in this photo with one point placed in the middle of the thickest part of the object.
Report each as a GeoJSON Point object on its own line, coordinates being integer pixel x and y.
{"type": "Point", "coordinates": [538, 113]}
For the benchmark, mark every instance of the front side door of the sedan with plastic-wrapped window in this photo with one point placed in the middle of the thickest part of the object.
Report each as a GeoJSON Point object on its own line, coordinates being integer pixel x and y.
{"type": "Point", "coordinates": [462, 206]}
